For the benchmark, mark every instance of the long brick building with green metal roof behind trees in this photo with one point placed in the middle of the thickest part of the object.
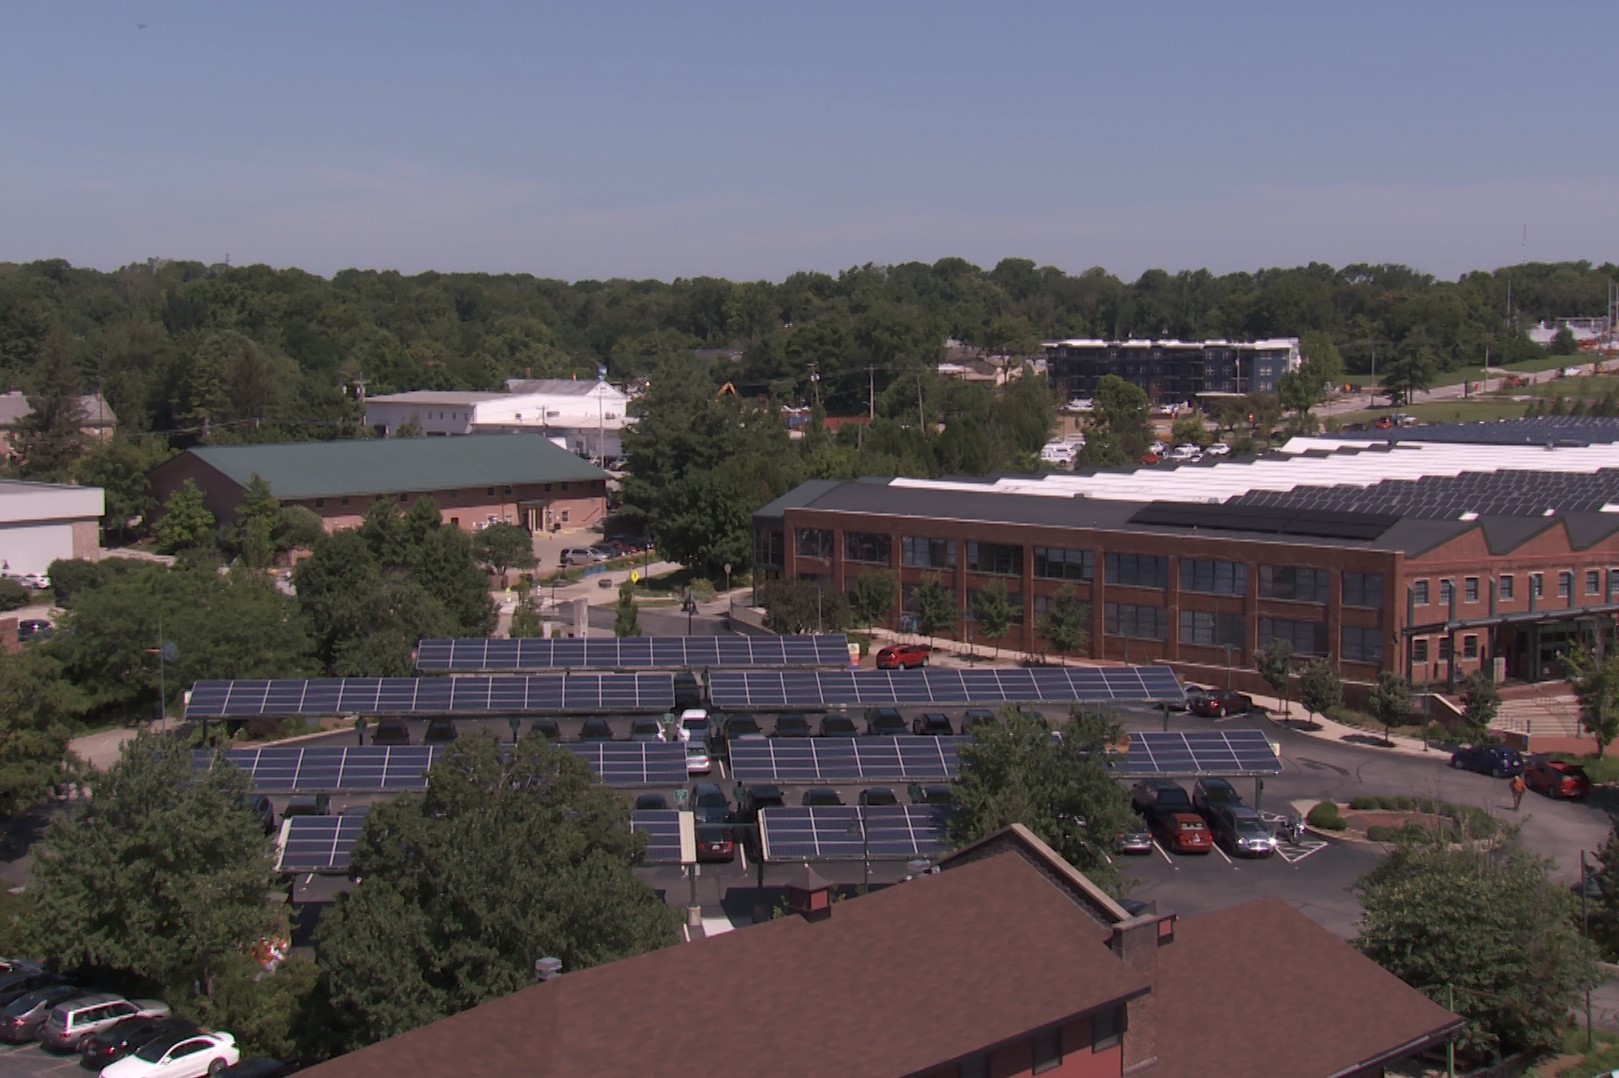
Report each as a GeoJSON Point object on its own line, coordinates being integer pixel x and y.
{"type": "Point", "coordinates": [477, 482]}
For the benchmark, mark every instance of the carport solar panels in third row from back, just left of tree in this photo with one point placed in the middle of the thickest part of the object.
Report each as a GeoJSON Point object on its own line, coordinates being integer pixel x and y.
{"type": "Point", "coordinates": [846, 760]}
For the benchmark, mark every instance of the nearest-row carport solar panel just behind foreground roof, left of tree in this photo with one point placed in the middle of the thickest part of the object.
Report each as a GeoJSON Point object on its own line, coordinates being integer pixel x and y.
{"type": "Point", "coordinates": [891, 833]}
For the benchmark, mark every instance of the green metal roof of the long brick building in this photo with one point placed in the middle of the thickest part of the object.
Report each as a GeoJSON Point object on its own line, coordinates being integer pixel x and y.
{"type": "Point", "coordinates": [318, 470]}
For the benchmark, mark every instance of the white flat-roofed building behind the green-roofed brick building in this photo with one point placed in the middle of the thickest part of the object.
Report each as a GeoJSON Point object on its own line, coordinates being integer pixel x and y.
{"type": "Point", "coordinates": [584, 417]}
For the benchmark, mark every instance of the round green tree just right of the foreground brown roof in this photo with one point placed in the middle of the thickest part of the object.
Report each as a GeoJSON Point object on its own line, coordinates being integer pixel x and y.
{"type": "Point", "coordinates": [1487, 923]}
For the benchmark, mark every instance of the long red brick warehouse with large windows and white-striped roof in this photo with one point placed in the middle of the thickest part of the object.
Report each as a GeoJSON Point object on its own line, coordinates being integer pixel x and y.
{"type": "Point", "coordinates": [1481, 546]}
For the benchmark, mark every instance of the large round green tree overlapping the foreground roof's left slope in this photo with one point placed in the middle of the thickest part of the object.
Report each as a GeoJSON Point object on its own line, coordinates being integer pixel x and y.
{"type": "Point", "coordinates": [443, 922]}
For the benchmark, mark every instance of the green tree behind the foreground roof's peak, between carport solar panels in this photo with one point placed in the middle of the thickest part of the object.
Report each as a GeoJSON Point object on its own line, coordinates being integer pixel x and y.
{"type": "Point", "coordinates": [1061, 789]}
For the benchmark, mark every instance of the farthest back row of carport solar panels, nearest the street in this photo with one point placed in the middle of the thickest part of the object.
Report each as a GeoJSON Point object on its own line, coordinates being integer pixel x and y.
{"type": "Point", "coordinates": [632, 653]}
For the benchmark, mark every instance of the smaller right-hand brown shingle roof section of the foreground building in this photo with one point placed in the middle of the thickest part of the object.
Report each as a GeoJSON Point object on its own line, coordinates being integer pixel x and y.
{"type": "Point", "coordinates": [1236, 982]}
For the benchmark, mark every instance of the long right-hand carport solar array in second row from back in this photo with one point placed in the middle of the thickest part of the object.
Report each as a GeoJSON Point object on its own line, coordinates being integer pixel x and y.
{"type": "Point", "coordinates": [746, 690]}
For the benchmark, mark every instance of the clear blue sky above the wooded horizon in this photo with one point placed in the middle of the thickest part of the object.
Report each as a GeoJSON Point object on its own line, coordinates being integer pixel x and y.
{"type": "Point", "coordinates": [759, 138]}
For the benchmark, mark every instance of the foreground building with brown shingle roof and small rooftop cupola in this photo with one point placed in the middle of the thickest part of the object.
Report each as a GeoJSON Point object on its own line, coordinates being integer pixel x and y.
{"type": "Point", "coordinates": [1006, 962]}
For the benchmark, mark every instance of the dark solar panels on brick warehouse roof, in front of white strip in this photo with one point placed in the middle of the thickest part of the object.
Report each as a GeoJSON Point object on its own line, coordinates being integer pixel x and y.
{"type": "Point", "coordinates": [1447, 498]}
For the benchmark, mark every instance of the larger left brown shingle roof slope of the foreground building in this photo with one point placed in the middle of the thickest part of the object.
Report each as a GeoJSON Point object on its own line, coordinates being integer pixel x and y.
{"type": "Point", "coordinates": [891, 983]}
